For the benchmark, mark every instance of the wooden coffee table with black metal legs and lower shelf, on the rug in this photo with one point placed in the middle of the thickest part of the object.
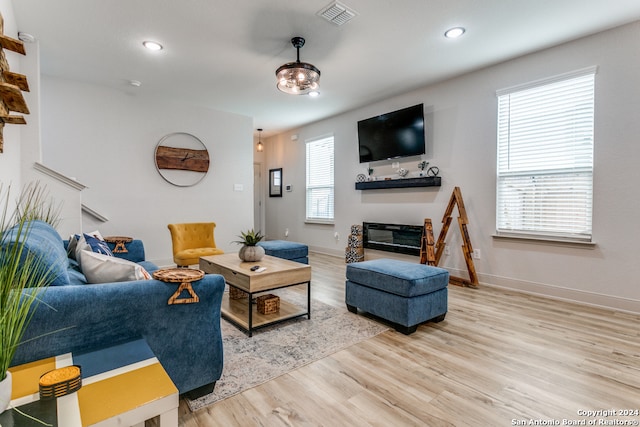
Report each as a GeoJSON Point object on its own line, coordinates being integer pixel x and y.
{"type": "Point", "coordinates": [279, 273]}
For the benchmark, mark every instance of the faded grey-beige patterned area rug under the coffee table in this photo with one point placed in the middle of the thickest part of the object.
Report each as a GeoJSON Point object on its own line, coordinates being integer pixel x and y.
{"type": "Point", "coordinates": [281, 348]}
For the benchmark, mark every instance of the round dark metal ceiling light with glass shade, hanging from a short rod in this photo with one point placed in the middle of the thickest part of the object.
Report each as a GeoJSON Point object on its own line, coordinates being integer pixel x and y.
{"type": "Point", "coordinates": [298, 78]}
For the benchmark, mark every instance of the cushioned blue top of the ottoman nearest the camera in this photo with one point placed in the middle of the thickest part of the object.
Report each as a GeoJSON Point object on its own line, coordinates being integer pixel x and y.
{"type": "Point", "coordinates": [402, 278]}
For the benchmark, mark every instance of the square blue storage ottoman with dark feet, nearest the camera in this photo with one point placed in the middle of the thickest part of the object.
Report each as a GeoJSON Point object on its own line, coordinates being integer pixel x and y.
{"type": "Point", "coordinates": [401, 292]}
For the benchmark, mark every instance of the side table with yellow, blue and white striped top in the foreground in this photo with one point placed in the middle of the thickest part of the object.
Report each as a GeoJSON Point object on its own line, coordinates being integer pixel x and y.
{"type": "Point", "coordinates": [123, 385]}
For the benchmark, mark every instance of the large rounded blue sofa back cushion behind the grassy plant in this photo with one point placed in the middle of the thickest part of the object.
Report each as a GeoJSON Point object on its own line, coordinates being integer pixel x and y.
{"type": "Point", "coordinates": [43, 242]}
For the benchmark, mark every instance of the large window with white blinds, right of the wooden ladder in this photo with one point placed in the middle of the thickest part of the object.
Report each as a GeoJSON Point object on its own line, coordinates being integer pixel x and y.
{"type": "Point", "coordinates": [545, 158]}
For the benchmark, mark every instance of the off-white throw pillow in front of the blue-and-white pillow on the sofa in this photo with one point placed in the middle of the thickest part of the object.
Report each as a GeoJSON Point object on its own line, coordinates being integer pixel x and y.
{"type": "Point", "coordinates": [99, 268]}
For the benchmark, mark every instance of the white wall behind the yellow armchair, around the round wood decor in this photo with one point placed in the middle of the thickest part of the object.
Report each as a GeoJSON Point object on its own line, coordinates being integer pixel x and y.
{"type": "Point", "coordinates": [106, 140]}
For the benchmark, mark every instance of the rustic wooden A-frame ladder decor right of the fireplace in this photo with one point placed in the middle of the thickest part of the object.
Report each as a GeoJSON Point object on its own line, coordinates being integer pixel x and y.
{"type": "Point", "coordinates": [431, 256]}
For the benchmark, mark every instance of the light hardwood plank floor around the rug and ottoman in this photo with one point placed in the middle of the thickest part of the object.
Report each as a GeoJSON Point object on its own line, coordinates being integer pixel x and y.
{"type": "Point", "coordinates": [498, 359]}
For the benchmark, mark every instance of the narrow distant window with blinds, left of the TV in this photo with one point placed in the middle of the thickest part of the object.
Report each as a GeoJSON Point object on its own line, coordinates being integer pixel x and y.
{"type": "Point", "coordinates": [320, 180]}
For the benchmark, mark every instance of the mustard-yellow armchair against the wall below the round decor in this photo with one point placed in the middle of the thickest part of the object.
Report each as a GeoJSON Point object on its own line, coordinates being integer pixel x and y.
{"type": "Point", "coordinates": [191, 241]}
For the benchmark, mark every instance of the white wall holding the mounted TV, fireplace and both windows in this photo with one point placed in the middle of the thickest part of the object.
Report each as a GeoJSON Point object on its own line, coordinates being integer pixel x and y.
{"type": "Point", "coordinates": [461, 120]}
